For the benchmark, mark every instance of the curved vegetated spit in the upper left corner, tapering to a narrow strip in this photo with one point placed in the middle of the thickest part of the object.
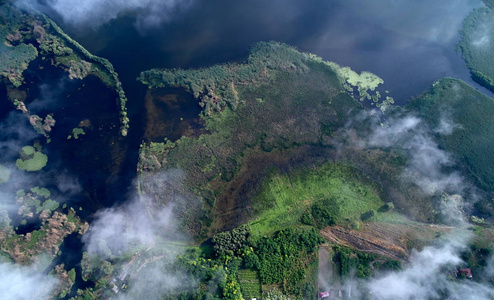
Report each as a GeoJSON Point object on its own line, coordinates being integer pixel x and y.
{"type": "Point", "coordinates": [27, 35]}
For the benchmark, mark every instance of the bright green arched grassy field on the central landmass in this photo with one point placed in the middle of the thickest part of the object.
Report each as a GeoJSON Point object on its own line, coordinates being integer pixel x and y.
{"type": "Point", "coordinates": [284, 198]}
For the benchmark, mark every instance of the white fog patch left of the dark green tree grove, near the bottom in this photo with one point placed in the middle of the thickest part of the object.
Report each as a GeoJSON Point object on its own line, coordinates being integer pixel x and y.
{"type": "Point", "coordinates": [151, 235]}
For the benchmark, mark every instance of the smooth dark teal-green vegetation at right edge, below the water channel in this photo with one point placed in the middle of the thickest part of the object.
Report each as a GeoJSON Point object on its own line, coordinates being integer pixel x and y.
{"type": "Point", "coordinates": [473, 126]}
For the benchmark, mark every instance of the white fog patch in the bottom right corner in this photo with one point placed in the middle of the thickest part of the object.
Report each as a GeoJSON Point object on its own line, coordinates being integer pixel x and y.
{"type": "Point", "coordinates": [426, 277]}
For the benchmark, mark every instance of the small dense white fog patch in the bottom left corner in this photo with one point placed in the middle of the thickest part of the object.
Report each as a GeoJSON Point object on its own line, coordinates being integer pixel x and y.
{"type": "Point", "coordinates": [24, 283]}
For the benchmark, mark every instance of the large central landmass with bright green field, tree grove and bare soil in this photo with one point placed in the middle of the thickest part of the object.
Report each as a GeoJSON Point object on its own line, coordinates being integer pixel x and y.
{"type": "Point", "coordinates": [289, 159]}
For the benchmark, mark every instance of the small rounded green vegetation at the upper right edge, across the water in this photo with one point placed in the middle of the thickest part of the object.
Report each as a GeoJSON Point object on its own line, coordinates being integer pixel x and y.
{"type": "Point", "coordinates": [477, 45]}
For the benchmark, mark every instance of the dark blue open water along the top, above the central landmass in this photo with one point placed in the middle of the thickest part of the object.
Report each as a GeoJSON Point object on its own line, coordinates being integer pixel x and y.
{"type": "Point", "coordinates": [407, 43]}
